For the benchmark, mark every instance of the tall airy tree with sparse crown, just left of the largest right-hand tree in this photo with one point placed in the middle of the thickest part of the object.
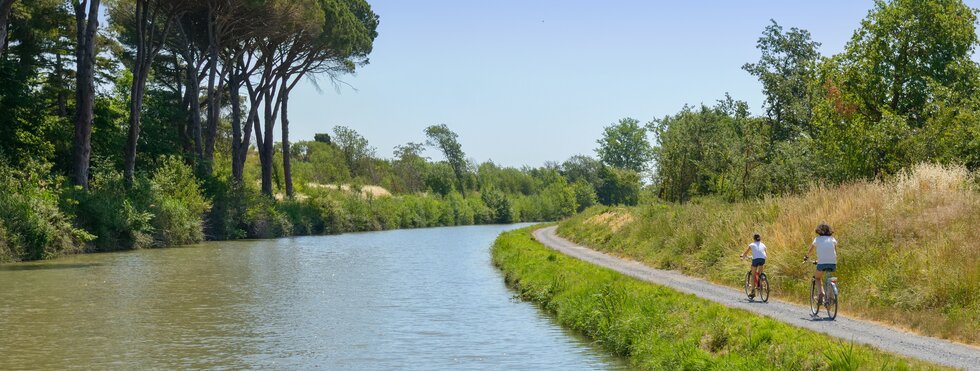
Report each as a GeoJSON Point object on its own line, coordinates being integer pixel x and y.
{"type": "Point", "coordinates": [785, 69]}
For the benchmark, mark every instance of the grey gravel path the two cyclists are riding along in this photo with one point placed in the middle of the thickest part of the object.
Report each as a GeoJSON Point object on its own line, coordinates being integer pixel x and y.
{"type": "Point", "coordinates": [888, 339]}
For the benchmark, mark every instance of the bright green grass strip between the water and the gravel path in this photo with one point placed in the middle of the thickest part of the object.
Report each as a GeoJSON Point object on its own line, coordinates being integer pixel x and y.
{"type": "Point", "coordinates": [659, 328]}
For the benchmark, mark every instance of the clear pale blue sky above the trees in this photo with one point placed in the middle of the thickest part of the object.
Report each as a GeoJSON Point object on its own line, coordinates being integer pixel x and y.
{"type": "Point", "coordinates": [525, 82]}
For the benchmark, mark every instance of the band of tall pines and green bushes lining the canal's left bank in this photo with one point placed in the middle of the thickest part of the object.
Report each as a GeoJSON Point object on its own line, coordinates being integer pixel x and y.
{"type": "Point", "coordinates": [157, 130]}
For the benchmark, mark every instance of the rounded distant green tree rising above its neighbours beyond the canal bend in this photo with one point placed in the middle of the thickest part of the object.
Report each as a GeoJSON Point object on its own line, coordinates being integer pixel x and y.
{"type": "Point", "coordinates": [624, 145]}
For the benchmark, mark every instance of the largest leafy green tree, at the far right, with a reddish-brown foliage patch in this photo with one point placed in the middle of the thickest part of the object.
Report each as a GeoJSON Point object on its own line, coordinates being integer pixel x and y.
{"type": "Point", "coordinates": [876, 102]}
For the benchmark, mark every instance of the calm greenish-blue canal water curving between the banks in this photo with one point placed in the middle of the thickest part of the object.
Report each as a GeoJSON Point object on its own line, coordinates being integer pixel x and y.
{"type": "Point", "coordinates": [412, 299]}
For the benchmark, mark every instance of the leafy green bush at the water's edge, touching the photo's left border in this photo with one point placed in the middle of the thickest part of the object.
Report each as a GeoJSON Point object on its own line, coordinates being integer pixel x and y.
{"type": "Point", "coordinates": [32, 226]}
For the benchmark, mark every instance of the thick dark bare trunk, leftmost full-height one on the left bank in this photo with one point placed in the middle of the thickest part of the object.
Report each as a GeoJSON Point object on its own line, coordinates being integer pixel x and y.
{"type": "Point", "coordinates": [85, 93]}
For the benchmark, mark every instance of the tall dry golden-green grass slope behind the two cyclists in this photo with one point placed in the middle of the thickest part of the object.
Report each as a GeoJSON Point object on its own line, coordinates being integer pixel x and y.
{"type": "Point", "coordinates": [907, 254]}
